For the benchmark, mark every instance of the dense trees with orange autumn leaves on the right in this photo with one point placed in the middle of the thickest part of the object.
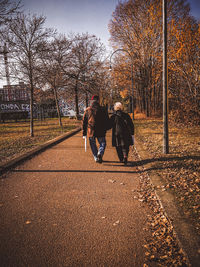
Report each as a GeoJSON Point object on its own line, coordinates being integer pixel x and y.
{"type": "Point", "coordinates": [136, 26]}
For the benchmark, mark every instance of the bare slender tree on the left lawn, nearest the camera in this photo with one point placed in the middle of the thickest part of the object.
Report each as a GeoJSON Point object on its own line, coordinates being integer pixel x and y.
{"type": "Point", "coordinates": [27, 37]}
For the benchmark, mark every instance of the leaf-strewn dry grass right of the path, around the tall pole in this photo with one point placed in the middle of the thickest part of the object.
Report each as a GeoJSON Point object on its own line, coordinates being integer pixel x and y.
{"type": "Point", "coordinates": [180, 169]}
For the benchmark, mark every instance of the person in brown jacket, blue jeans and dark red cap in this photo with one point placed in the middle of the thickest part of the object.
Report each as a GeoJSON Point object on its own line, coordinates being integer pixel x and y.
{"type": "Point", "coordinates": [95, 124]}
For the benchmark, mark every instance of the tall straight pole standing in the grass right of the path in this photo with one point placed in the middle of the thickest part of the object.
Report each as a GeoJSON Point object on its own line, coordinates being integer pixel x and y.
{"type": "Point", "coordinates": [165, 82]}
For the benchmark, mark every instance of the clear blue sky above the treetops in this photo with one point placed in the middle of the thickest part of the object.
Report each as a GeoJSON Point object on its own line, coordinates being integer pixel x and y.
{"type": "Point", "coordinates": [90, 16]}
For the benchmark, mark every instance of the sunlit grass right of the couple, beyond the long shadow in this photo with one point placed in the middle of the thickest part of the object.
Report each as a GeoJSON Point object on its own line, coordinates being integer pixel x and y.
{"type": "Point", "coordinates": [181, 139]}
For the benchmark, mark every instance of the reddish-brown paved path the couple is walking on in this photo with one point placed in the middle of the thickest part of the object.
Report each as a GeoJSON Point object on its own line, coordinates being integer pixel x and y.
{"type": "Point", "coordinates": [60, 208]}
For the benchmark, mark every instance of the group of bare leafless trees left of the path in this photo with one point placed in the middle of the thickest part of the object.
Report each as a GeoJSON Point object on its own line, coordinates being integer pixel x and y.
{"type": "Point", "coordinates": [52, 64]}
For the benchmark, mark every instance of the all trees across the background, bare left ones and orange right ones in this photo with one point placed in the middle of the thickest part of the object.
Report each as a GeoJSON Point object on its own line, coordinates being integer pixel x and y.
{"type": "Point", "coordinates": [74, 66]}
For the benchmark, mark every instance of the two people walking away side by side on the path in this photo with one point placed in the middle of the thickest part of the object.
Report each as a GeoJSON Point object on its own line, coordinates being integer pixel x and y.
{"type": "Point", "coordinates": [95, 124]}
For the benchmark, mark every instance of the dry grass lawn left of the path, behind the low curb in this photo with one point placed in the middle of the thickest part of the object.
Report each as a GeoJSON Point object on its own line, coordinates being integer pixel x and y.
{"type": "Point", "coordinates": [15, 138]}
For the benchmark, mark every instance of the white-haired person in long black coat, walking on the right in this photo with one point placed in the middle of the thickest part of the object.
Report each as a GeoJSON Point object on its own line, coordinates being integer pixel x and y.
{"type": "Point", "coordinates": [122, 132]}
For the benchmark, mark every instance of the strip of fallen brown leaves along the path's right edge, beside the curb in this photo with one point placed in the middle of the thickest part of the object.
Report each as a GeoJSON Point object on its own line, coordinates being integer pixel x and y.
{"type": "Point", "coordinates": [162, 247]}
